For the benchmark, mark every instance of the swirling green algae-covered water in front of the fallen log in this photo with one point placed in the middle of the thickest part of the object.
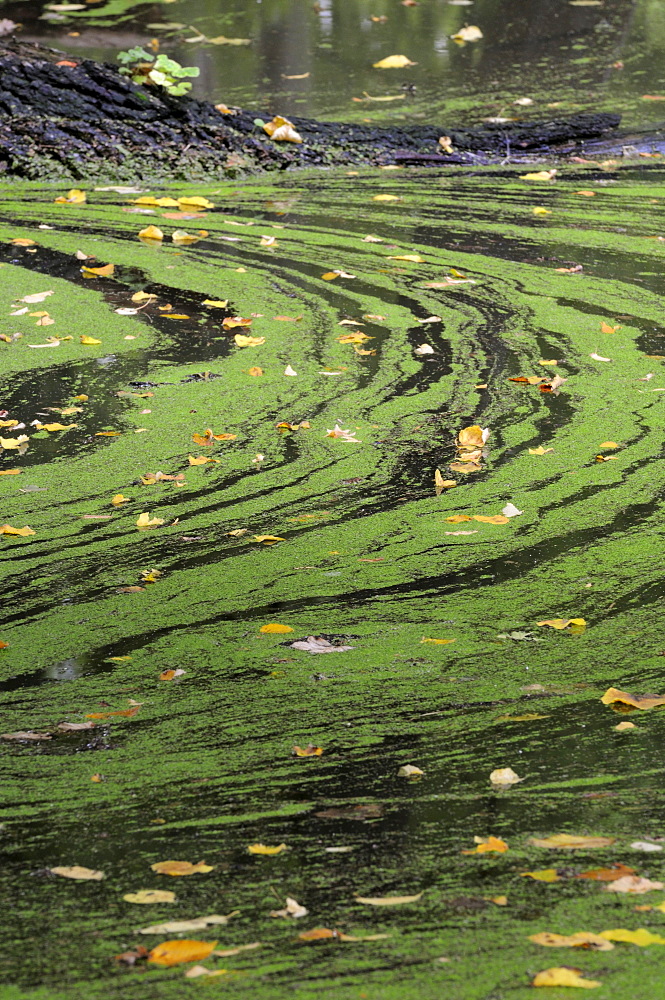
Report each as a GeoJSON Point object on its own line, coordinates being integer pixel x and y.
{"type": "Point", "coordinates": [448, 670]}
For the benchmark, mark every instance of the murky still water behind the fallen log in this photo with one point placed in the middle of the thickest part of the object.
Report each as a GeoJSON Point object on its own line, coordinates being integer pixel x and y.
{"type": "Point", "coordinates": [316, 59]}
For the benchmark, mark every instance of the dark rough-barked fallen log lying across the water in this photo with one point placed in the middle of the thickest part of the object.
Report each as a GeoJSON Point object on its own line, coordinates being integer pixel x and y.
{"type": "Point", "coordinates": [62, 117]}
